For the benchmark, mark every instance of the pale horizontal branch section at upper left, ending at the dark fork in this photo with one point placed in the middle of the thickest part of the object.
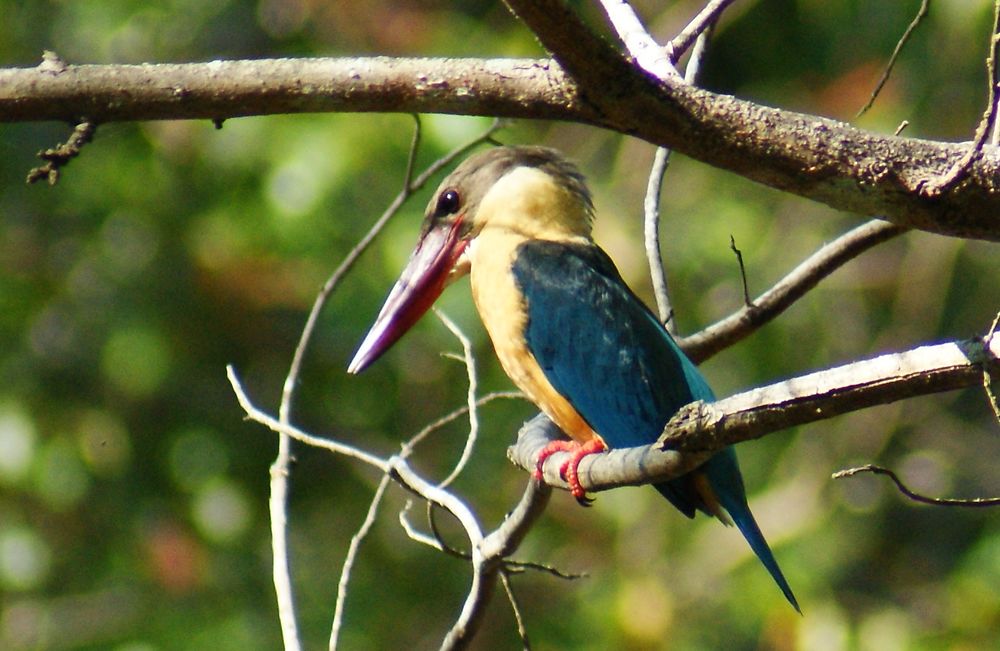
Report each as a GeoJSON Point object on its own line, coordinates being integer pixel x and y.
{"type": "Point", "coordinates": [228, 89]}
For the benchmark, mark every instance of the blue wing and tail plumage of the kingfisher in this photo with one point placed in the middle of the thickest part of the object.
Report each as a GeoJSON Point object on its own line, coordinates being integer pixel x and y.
{"type": "Point", "coordinates": [607, 354]}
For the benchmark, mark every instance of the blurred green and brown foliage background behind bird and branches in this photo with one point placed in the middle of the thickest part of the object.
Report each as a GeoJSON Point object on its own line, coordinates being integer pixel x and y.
{"type": "Point", "coordinates": [133, 495]}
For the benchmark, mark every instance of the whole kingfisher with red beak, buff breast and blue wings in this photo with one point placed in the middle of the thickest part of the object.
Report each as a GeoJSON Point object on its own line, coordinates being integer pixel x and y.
{"type": "Point", "coordinates": [565, 326]}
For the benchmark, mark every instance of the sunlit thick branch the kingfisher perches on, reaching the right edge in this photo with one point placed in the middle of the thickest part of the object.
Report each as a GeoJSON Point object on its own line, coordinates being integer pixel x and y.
{"type": "Point", "coordinates": [700, 429]}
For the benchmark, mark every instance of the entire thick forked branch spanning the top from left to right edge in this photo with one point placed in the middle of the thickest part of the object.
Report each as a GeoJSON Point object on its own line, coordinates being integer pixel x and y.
{"type": "Point", "coordinates": [828, 161]}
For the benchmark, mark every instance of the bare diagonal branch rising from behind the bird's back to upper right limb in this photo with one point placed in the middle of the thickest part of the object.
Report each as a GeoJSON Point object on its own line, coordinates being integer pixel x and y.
{"type": "Point", "coordinates": [726, 332]}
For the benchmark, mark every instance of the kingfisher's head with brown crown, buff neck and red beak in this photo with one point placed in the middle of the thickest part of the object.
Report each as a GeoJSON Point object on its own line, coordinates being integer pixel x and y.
{"type": "Point", "coordinates": [532, 192]}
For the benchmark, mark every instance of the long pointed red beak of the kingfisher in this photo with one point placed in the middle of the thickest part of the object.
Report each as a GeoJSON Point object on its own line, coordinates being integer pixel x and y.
{"type": "Point", "coordinates": [422, 281]}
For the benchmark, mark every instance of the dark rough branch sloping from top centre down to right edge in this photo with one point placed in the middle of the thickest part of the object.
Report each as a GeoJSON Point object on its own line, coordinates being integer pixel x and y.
{"type": "Point", "coordinates": [825, 160]}
